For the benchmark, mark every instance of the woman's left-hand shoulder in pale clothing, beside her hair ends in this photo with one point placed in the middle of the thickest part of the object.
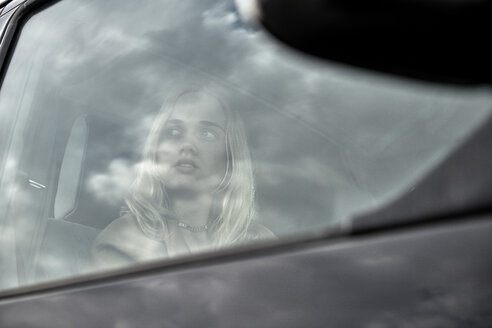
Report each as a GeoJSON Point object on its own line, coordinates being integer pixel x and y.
{"type": "Point", "coordinates": [123, 242]}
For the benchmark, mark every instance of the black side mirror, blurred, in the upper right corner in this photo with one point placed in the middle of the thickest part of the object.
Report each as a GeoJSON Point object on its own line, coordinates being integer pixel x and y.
{"type": "Point", "coordinates": [437, 40]}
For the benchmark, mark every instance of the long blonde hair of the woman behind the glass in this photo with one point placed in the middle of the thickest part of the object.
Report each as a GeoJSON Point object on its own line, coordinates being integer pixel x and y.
{"type": "Point", "coordinates": [233, 207]}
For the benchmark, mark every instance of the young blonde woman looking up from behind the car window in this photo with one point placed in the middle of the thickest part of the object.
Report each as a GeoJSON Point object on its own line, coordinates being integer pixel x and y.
{"type": "Point", "coordinates": [194, 190]}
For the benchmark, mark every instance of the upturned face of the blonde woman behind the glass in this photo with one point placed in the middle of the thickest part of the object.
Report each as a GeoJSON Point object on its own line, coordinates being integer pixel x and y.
{"type": "Point", "coordinates": [192, 148]}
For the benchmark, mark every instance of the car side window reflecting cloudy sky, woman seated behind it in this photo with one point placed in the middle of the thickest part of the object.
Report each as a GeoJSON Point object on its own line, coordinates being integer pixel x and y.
{"type": "Point", "coordinates": [141, 131]}
